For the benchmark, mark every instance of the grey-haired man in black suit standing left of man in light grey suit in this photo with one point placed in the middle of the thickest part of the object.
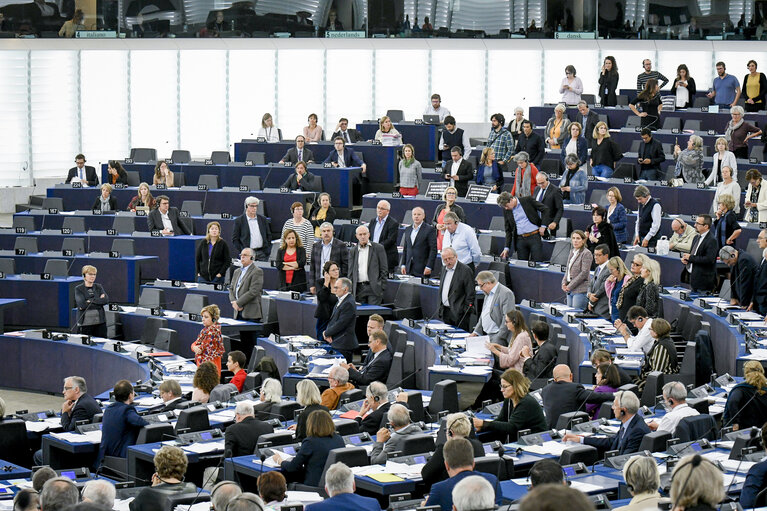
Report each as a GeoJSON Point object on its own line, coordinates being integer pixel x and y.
{"type": "Point", "coordinates": [456, 291]}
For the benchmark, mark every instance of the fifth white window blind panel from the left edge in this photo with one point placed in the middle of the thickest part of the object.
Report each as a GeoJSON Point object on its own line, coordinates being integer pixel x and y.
{"type": "Point", "coordinates": [202, 101]}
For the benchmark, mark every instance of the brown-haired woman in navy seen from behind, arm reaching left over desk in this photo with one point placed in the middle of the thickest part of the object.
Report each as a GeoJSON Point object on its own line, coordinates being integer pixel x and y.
{"type": "Point", "coordinates": [321, 438]}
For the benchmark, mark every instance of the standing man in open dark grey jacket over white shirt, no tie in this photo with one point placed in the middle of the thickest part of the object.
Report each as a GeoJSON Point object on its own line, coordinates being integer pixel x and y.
{"type": "Point", "coordinates": [368, 270]}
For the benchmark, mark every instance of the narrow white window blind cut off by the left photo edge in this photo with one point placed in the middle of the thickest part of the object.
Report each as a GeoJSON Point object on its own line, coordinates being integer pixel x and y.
{"type": "Point", "coordinates": [14, 144]}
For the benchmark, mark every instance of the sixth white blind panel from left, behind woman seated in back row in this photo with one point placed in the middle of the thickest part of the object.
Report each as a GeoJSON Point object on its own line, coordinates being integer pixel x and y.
{"type": "Point", "coordinates": [251, 92]}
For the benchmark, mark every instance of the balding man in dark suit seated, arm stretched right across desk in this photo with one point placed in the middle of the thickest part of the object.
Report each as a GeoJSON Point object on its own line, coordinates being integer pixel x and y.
{"type": "Point", "coordinates": [563, 396]}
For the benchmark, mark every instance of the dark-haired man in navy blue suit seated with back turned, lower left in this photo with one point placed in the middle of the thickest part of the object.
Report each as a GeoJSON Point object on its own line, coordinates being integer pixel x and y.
{"type": "Point", "coordinates": [121, 423]}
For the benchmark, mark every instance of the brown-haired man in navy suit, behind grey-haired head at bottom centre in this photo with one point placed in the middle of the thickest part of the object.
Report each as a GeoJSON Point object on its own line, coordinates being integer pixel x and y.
{"type": "Point", "coordinates": [459, 461]}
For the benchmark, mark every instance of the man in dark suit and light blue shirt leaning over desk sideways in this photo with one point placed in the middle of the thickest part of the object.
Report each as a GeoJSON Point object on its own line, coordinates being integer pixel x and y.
{"type": "Point", "coordinates": [522, 219]}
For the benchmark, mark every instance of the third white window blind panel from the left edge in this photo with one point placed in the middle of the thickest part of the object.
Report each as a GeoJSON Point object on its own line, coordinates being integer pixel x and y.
{"type": "Point", "coordinates": [104, 104]}
